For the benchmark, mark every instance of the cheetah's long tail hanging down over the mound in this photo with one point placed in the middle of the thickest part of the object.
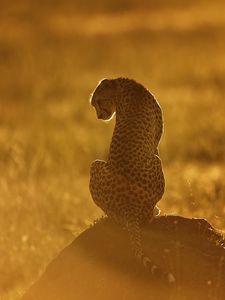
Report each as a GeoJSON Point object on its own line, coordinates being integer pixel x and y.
{"type": "Point", "coordinates": [134, 230]}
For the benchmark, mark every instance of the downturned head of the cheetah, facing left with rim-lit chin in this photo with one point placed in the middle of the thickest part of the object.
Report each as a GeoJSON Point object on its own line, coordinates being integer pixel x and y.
{"type": "Point", "coordinates": [103, 99]}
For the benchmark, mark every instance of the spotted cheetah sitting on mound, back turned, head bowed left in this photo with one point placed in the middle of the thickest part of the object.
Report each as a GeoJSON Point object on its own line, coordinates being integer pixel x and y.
{"type": "Point", "coordinates": [129, 184]}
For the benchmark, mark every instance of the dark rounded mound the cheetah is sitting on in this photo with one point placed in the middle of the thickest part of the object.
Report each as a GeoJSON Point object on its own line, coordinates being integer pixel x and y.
{"type": "Point", "coordinates": [99, 264]}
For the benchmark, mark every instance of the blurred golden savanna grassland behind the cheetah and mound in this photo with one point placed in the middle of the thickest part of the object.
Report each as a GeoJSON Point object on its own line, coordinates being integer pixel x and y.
{"type": "Point", "coordinates": [52, 54]}
